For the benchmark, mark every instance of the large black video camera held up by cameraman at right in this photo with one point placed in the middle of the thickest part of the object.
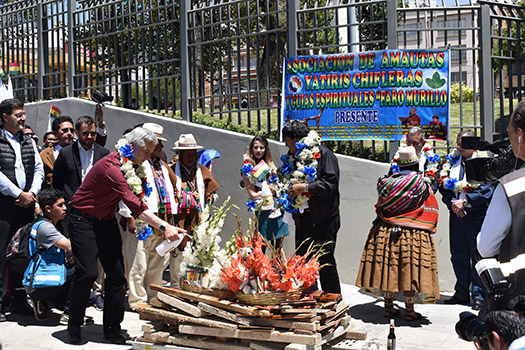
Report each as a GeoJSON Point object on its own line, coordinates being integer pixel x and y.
{"type": "Point", "coordinates": [501, 160]}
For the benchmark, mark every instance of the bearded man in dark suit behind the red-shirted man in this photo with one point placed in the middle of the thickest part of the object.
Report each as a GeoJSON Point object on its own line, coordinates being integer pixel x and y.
{"type": "Point", "coordinates": [75, 161]}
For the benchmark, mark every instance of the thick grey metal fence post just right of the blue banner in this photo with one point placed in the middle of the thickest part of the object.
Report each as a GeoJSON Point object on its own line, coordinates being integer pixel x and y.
{"type": "Point", "coordinates": [486, 84]}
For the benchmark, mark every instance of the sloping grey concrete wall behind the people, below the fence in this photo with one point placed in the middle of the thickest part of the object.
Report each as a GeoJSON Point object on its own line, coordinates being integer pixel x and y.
{"type": "Point", "coordinates": [357, 184]}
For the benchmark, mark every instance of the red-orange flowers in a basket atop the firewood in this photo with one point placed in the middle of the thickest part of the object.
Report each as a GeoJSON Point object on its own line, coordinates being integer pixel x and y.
{"type": "Point", "coordinates": [250, 271]}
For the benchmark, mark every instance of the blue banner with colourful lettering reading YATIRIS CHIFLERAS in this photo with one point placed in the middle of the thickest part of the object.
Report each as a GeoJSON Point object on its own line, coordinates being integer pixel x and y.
{"type": "Point", "coordinates": [375, 95]}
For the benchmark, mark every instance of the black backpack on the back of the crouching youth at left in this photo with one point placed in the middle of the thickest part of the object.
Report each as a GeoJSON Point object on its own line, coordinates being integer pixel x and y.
{"type": "Point", "coordinates": [18, 256]}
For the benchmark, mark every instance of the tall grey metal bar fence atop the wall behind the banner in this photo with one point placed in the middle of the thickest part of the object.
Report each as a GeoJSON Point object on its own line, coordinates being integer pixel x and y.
{"type": "Point", "coordinates": [222, 60]}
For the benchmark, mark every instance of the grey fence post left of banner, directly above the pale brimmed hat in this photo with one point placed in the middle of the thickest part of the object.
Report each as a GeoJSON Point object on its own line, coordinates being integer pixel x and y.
{"type": "Point", "coordinates": [185, 110]}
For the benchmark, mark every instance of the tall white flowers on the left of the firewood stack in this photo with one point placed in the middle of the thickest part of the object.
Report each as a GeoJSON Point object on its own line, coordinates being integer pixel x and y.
{"type": "Point", "coordinates": [204, 250]}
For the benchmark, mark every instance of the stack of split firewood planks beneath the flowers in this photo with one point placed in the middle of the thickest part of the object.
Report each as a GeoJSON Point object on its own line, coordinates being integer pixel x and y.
{"type": "Point", "coordinates": [201, 321]}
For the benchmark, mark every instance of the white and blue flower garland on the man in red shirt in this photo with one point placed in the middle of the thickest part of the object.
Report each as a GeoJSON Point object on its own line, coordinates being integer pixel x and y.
{"type": "Point", "coordinates": [136, 179]}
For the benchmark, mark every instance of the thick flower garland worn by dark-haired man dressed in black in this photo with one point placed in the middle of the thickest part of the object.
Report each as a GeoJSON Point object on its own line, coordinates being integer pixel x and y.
{"type": "Point", "coordinates": [300, 167]}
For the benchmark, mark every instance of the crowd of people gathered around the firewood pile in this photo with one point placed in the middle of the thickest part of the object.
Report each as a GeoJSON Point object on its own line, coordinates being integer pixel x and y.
{"type": "Point", "coordinates": [96, 212]}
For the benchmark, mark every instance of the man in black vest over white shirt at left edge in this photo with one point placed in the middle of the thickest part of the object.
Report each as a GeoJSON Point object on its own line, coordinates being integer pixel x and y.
{"type": "Point", "coordinates": [21, 176]}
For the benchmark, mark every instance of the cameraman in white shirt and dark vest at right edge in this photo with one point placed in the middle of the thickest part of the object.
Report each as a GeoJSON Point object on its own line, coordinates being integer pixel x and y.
{"type": "Point", "coordinates": [502, 230]}
